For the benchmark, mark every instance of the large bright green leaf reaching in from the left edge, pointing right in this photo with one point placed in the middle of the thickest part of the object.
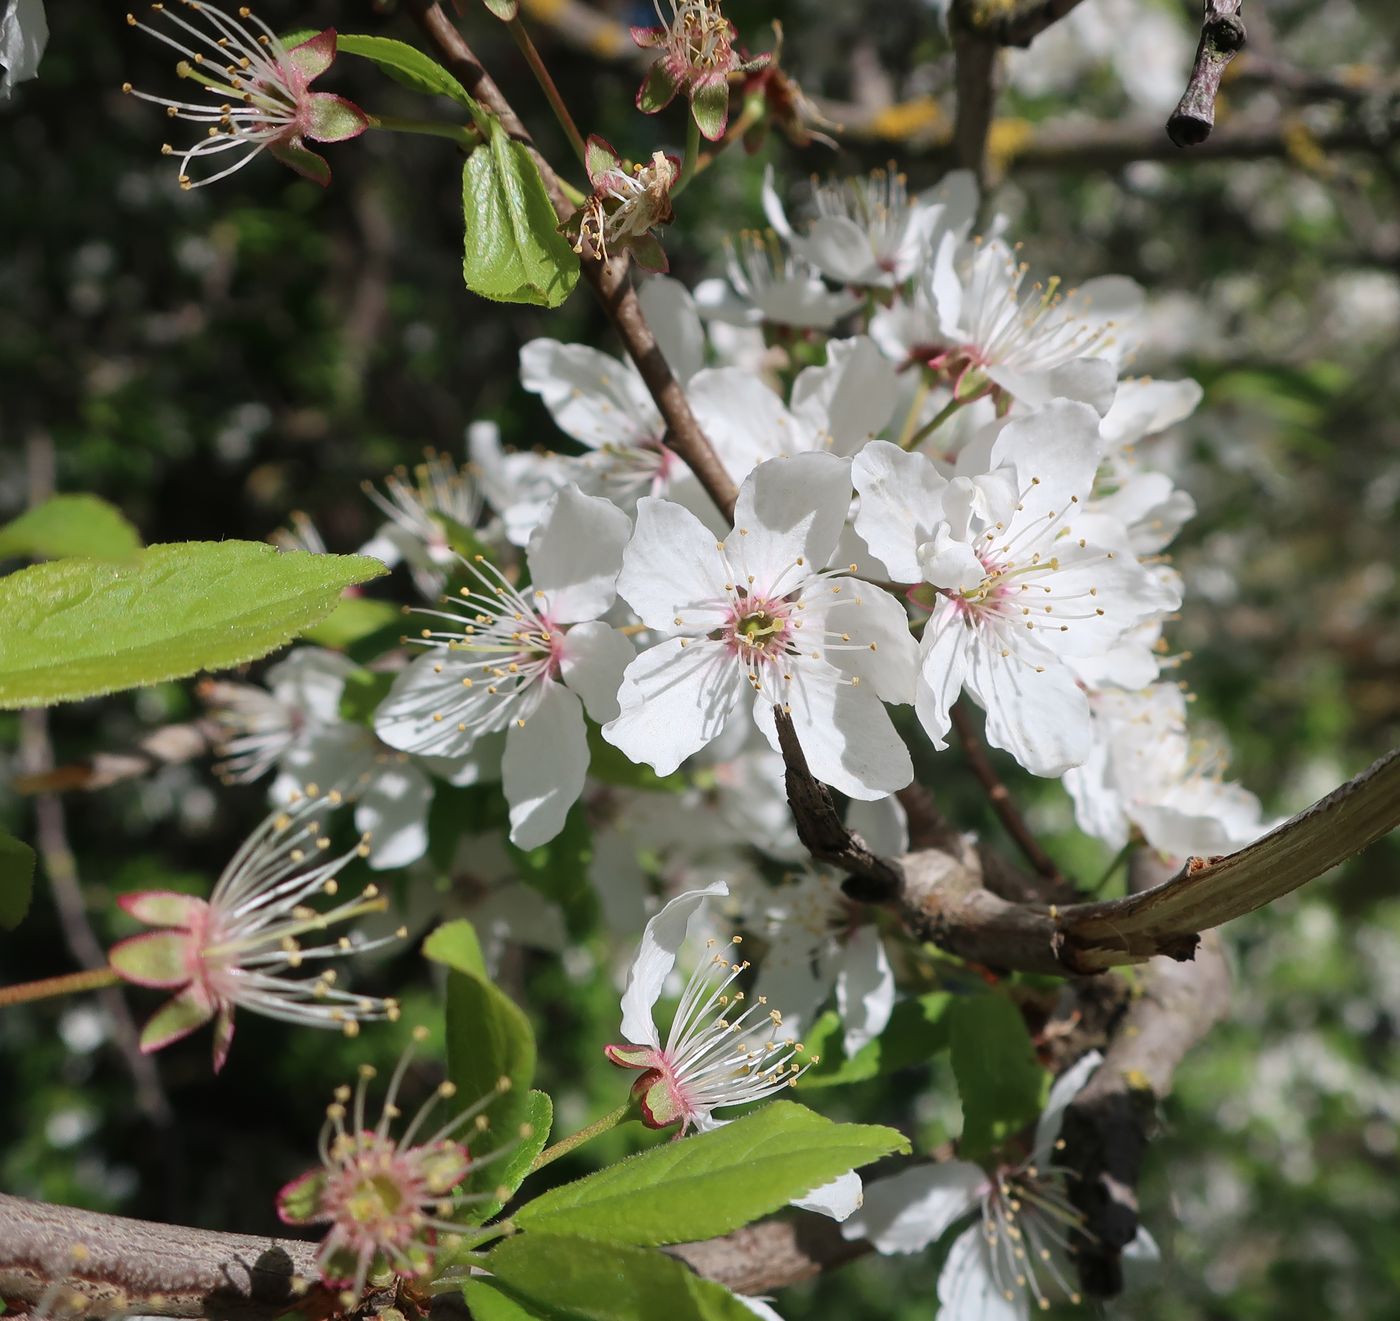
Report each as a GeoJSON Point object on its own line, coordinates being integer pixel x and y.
{"type": "Point", "coordinates": [78, 628]}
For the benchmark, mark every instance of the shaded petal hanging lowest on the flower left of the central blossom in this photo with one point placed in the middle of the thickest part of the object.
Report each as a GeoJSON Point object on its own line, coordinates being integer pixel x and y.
{"type": "Point", "coordinates": [547, 759]}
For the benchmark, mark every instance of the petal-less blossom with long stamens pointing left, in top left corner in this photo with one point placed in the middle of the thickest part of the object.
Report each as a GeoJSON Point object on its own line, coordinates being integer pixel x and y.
{"type": "Point", "coordinates": [260, 89]}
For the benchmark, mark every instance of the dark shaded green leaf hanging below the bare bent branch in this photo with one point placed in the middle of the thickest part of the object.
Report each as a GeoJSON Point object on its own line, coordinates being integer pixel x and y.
{"type": "Point", "coordinates": [1002, 1085]}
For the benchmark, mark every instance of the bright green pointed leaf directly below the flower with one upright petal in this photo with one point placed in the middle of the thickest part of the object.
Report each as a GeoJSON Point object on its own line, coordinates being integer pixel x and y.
{"type": "Point", "coordinates": [713, 1183]}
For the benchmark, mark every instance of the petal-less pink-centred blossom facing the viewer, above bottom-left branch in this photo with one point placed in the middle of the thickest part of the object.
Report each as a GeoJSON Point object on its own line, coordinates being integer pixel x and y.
{"type": "Point", "coordinates": [388, 1203]}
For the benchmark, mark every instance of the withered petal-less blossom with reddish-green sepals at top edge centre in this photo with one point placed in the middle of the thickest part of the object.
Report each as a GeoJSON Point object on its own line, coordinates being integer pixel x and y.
{"type": "Point", "coordinates": [696, 58]}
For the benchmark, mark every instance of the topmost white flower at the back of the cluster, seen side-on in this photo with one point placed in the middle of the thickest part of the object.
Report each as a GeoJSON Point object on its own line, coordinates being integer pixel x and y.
{"type": "Point", "coordinates": [869, 230]}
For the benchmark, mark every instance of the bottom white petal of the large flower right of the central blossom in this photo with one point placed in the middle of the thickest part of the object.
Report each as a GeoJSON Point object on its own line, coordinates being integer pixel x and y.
{"type": "Point", "coordinates": [1041, 717]}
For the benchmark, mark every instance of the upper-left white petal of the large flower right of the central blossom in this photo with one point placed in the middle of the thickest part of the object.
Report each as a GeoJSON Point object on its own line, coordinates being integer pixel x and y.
{"type": "Point", "coordinates": [901, 506]}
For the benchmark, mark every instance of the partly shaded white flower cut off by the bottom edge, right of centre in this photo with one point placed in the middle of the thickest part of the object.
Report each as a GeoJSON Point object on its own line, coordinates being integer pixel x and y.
{"type": "Point", "coordinates": [1016, 1257]}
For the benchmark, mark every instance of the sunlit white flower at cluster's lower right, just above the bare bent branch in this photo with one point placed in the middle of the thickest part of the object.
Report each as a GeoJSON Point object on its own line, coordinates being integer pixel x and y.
{"type": "Point", "coordinates": [1146, 772]}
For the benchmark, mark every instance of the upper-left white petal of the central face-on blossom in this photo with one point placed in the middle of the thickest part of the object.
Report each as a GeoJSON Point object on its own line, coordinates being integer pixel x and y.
{"type": "Point", "coordinates": [673, 567]}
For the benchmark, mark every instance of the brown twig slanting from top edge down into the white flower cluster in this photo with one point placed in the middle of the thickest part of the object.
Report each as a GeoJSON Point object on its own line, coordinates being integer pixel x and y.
{"type": "Point", "coordinates": [608, 279]}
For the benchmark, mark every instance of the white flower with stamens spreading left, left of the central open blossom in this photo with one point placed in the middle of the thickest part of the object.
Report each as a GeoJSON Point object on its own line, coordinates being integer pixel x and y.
{"type": "Point", "coordinates": [527, 663]}
